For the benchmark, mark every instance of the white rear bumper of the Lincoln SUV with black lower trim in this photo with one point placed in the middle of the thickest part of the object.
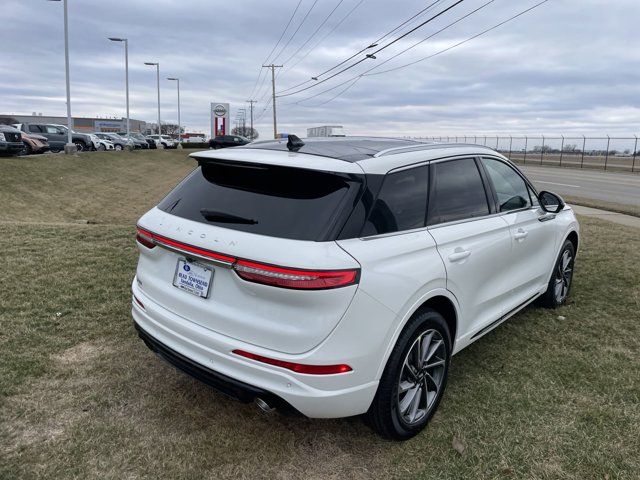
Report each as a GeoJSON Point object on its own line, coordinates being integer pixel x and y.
{"type": "Point", "coordinates": [206, 355]}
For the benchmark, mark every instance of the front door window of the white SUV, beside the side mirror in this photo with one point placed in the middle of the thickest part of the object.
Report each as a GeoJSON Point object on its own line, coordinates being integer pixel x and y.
{"type": "Point", "coordinates": [511, 189]}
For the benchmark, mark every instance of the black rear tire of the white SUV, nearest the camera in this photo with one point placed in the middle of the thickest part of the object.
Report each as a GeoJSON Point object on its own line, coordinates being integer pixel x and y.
{"type": "Point", "coordinates": [385, 415]}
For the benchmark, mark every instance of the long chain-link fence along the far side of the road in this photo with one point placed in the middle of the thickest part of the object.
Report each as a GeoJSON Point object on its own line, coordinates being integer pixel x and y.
{"type": "Point", "coordinates": [607, 153]}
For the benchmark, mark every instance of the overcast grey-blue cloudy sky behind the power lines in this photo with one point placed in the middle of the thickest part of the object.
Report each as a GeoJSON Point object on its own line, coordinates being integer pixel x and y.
{"type": "Point", "coordinates": [568, 66]}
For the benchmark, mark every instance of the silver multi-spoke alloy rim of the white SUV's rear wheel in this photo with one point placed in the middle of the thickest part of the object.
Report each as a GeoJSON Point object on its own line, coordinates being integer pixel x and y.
{"type": "Point", "coordinates": [421, 376]}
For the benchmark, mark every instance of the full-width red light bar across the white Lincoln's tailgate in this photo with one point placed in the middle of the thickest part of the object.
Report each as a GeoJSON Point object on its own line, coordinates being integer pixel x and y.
{"type": "Point", "coordinates": [273, 275]}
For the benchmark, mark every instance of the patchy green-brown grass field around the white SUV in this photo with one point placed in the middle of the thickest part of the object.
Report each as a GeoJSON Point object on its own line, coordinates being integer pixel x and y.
{"type": "Point", "coordinates": [549, 394]}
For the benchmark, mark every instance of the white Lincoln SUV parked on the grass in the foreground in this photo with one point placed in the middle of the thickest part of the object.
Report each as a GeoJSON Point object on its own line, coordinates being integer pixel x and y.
{"type": "Point", "coordinates": [339, 276]}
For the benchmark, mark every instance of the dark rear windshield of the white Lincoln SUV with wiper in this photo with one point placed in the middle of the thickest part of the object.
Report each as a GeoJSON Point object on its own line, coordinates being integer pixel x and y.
{"type": "Point", "coordinates": [265, 199]}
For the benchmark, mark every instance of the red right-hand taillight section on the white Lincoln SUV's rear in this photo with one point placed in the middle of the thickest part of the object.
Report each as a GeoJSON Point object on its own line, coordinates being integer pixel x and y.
{"type": "Point", "coordinates": [294, 278]}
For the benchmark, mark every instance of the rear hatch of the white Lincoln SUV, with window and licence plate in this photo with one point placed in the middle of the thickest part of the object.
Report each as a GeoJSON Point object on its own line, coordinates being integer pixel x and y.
{"type": "Point", "coordinates": [259, 241]}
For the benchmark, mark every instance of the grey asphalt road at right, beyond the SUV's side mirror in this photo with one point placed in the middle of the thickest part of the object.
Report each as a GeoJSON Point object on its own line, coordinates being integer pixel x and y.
{"type": "Point", "coordinates": [623, 188]}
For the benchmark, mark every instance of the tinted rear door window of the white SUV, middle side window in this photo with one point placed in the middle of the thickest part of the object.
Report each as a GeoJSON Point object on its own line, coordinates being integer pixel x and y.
{"type": "Point", "coordinates": [458, 192]}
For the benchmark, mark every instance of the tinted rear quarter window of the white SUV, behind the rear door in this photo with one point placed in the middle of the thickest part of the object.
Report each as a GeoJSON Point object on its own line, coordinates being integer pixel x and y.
{"type": "Point", "coordinates": [401, 203]}
